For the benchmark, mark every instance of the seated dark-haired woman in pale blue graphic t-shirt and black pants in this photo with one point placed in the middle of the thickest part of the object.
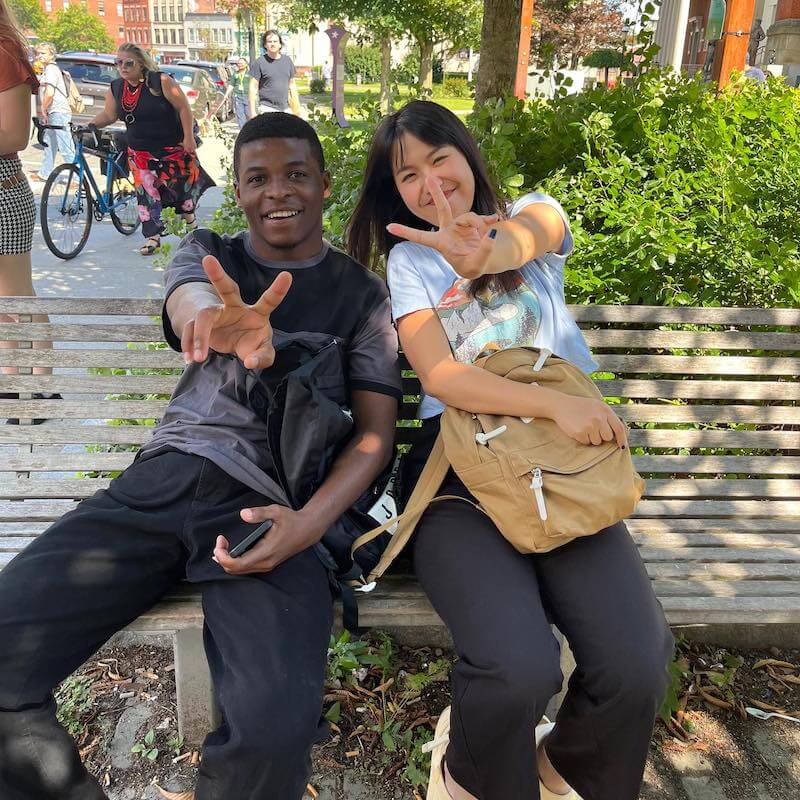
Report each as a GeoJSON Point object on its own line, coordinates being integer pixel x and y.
{"type": "Point", "coordinates": [463, 271]}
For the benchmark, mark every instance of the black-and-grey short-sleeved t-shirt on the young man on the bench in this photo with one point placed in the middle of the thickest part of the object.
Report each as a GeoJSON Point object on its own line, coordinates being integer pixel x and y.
{"type": "Point", "coordinates": [330, 294]}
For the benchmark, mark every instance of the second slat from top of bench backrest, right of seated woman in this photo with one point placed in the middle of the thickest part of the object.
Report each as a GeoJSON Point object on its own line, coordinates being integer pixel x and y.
{"type": "Point", "coordinates": [606, 338]}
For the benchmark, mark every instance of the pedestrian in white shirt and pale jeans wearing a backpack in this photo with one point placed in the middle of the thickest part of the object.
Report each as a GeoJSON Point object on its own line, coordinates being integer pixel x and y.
{"type": "Point", "coordinates": [53, 110]}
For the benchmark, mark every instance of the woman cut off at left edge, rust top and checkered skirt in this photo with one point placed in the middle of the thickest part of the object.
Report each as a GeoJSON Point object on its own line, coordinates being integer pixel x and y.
{"type": "Point", "coordinates": [17, 208]}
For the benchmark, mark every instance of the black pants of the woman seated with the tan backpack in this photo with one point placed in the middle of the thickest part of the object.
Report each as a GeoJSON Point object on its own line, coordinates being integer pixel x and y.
{"type": "Point", "coordinates": [499, 605]}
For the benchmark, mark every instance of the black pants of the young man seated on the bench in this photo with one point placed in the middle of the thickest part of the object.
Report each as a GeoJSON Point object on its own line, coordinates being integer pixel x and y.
{"type": "Point", "coordinates": [105, 563]}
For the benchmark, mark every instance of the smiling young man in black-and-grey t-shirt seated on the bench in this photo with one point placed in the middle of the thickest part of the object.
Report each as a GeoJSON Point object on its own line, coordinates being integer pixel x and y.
{"type": "Point", "coordinates": [202, 479]}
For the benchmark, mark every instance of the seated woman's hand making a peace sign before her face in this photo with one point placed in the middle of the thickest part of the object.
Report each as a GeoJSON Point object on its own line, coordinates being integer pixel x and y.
{"type": "Point", "coordinates": [466, 241]}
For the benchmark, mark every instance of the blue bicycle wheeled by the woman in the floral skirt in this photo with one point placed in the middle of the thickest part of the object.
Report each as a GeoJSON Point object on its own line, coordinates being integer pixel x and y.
{"type": "Point", "coordinates": [71, 198]}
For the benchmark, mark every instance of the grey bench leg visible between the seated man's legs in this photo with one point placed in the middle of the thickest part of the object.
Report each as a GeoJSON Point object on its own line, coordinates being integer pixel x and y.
{"type": "Point", "coordinates": [197, 711]}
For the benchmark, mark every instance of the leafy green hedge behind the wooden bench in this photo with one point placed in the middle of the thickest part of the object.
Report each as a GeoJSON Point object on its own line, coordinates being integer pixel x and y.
{"type": "Point", "coordinates": [676, 196]}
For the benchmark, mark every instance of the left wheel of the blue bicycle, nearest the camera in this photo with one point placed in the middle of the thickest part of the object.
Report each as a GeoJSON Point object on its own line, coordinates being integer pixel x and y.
{"type": "Point", "coordinates": [66, 211]}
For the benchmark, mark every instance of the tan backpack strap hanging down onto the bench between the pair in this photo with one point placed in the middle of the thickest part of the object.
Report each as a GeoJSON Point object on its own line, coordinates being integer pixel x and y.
{"type": "Point", "coordinates": [424, 494]}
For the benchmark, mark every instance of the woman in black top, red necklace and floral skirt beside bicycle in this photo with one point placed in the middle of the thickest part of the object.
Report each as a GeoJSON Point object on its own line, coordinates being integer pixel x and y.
{"type": "Point", "coordinates": [162, 152]}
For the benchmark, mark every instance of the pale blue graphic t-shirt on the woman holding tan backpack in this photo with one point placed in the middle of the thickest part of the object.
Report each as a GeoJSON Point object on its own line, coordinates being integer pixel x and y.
{"type": "Point", "coordinates": [534, 314]}
